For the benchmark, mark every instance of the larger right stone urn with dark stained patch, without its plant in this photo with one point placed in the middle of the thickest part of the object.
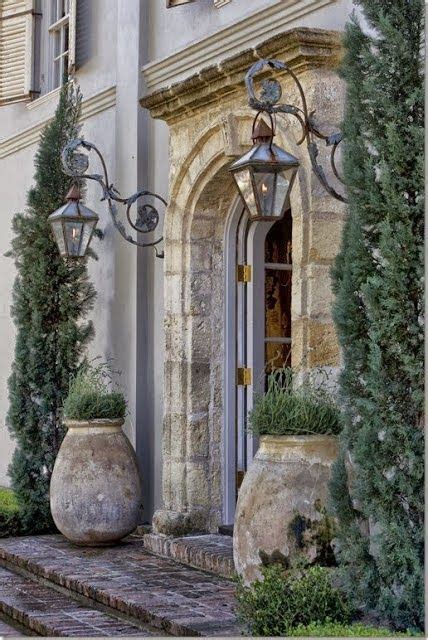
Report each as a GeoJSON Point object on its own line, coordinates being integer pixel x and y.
{"type": "Point", "coordinates": [281, 503]}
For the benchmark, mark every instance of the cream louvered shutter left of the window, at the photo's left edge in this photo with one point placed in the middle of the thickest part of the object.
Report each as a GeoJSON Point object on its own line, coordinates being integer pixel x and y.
{"type": "Point", "coordinates": [16, 50]}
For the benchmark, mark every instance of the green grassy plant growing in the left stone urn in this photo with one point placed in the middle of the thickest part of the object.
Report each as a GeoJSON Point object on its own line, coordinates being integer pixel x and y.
{"type": "Point", "coordinates": [90, 396]}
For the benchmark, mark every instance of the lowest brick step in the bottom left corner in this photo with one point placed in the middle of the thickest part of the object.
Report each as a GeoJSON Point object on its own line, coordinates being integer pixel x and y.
{"type": "Point", "coordinates": [44, 611]}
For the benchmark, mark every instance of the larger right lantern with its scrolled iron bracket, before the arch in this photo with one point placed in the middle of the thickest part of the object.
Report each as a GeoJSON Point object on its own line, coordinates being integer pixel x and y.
{"type": "Point", "coordinates": [265, 174]}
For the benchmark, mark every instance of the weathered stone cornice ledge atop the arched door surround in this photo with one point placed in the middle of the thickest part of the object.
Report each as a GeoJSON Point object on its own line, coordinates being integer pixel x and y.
{"type": "Point", "coordinates": [302, 49]}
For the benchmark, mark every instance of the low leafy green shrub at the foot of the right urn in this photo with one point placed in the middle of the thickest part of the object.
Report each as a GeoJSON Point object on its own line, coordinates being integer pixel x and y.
{"type": "Point", "coordinates": [285, 599]}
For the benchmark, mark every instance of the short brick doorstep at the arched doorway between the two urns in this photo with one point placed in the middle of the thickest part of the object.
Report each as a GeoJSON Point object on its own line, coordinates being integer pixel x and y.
{"type": "Point", "coordinates": [209, 552]}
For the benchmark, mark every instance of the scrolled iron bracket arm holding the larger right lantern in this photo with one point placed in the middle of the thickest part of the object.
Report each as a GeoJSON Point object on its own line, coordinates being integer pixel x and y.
{"type": "Point", "coordinates": [269, 103]}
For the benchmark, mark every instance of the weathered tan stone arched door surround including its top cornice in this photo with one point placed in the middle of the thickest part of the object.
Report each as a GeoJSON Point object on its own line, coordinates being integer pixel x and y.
{"type": "Point", "coordinates": [210, 125]}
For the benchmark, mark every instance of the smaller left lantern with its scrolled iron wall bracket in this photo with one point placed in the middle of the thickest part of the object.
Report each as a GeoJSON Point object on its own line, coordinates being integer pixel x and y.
{"type": "Point", "coordinates": [73, 224]}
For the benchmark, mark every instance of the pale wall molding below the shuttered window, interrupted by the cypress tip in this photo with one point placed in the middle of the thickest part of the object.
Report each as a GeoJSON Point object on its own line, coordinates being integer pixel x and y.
{"type": "Point", "coordinates": [90, 107]}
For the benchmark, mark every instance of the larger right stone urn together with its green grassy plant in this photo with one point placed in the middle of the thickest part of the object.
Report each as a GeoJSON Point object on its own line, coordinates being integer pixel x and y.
{"type": "Point", "coordinates": [281, 508]}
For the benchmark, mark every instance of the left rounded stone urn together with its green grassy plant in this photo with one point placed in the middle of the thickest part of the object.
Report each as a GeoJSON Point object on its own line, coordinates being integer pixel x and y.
{"type": "Point", "coordinates": [95, 491]}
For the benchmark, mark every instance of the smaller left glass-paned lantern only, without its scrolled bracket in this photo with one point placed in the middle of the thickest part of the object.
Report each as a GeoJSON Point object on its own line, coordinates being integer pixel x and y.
{"type": "Point", "coordinates": [73, 225]}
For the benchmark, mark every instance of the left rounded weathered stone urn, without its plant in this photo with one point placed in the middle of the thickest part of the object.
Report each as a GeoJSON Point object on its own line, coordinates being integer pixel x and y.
{"type": "Point", "coordinates": [95, 490]}
